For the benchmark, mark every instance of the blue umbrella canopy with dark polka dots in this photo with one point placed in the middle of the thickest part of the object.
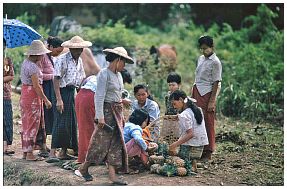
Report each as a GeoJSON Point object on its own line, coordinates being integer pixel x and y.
{"type": "Point", "coordinates": [18, 34]}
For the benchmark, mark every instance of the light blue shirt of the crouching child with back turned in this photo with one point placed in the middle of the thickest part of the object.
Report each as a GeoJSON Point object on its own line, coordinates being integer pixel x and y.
{"type": "Point", "coordinates": [131, 131]}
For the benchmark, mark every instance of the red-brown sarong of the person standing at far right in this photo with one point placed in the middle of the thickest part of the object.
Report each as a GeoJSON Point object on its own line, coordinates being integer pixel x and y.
{"type": "Point", "coordinates": [209, 117]}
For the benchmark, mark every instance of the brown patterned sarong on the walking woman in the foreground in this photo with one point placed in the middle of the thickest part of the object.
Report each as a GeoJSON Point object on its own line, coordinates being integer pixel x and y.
{"type": "Point", "coordinates": [109, 146]}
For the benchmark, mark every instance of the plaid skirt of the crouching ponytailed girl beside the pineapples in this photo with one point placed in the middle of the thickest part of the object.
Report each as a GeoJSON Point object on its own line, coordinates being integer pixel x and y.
{"type": "Point", "coordinates": [190, 152]}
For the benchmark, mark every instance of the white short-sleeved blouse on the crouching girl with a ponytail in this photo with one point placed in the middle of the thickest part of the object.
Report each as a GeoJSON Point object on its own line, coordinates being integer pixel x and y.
{"type": "Point", "coordinates": [188, 121]}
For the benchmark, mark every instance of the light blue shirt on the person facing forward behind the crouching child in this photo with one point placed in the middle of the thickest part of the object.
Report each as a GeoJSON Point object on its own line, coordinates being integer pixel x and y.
{"type": "Point", "coordinates": [150, 106]}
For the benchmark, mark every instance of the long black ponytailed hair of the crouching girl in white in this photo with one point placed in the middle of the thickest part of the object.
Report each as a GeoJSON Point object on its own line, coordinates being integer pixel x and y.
{"type": "Point", "coordinates": [181, 94]}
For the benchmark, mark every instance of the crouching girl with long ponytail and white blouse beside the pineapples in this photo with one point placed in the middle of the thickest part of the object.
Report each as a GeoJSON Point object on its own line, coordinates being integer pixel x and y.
{"type": "Point", "coordinates": [192, 130]}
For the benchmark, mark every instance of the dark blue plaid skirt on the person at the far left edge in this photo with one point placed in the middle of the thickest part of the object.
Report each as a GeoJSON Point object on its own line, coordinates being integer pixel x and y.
{"type": "Point", "coordinates": [8, 121]}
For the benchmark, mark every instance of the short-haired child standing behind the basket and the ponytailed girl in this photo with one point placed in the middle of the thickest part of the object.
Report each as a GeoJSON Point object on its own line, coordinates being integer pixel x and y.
{"type": "Point", "coordinates": [174, 81]}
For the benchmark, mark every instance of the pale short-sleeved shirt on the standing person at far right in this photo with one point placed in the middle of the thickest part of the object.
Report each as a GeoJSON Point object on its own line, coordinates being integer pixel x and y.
{"type": "Point", "coordinates": [207, 72]}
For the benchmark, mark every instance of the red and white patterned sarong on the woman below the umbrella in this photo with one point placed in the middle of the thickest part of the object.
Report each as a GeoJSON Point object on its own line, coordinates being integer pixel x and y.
{"type": "Point", "coordinates": [33, 134]}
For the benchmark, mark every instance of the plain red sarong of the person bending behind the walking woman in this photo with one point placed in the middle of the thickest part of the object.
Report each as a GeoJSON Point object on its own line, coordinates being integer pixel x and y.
{"type": "Point", "coordinates": [85, 111]}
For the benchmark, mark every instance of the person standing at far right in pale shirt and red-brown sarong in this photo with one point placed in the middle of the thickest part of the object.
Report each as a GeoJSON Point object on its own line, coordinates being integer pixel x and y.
{"type": "Point", "coordinates": [206, 87]}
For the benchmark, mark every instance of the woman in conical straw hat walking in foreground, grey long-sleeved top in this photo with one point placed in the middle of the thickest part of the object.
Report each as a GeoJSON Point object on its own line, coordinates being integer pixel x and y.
{"type": "Point", "coordinates": [107, 145]}
